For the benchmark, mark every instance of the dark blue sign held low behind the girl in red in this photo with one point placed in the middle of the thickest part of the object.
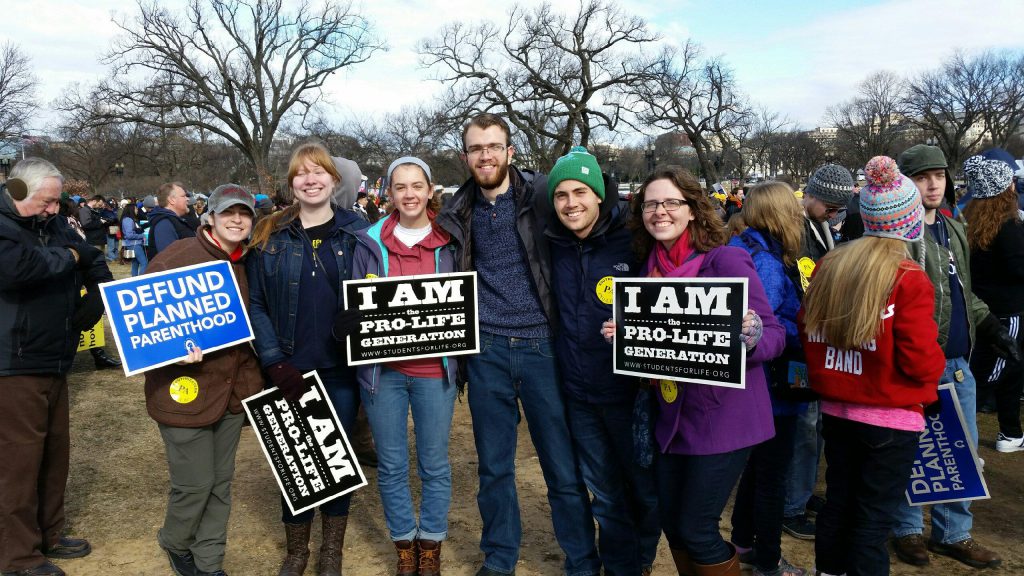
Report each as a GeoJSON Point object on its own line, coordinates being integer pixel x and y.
{"type": "Point", "coordinates": [947, 468]}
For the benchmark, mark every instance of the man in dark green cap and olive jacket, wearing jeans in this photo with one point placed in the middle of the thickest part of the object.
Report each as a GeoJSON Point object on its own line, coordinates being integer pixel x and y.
{"type": "Point", "coordinates": [960, 315]}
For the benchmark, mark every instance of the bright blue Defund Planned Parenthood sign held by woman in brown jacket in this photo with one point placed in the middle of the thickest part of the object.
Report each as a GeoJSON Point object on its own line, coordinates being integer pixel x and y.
{"type": "Point", "coordinates": [157, 319]}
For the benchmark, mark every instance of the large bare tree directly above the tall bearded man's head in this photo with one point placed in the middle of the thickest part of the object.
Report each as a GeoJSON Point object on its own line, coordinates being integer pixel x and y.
{"type": "Point", "coordinates": [554, 77]}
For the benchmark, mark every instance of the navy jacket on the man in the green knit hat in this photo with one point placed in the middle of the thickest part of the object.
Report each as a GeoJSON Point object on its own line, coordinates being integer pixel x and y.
{"type": "Point", "coordinates": [584, 303]}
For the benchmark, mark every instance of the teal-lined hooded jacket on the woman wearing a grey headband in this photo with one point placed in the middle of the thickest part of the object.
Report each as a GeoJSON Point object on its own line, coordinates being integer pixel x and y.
{"type": "Point", "coordinates": [372, 259]}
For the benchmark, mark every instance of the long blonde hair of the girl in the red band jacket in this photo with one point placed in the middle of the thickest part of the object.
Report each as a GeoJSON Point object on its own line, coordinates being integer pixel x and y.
{"type": "Point", "coordinates": [850, 289]}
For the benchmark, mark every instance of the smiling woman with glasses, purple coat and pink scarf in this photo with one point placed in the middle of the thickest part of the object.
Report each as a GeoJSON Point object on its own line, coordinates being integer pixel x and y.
{"type": "Point", "coordinates": [705, 433]}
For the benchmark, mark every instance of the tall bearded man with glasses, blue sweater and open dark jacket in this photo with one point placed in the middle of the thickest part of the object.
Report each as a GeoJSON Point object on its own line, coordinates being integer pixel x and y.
{"type": "Point", "coordinates": [497, 223]}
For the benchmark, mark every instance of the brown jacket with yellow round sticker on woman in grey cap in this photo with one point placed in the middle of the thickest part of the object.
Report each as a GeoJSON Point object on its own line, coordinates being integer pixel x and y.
{"type": "Point", "coordinates": [198, 395]}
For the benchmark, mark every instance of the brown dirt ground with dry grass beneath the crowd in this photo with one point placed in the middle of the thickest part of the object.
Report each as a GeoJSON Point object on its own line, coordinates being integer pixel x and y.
{"type": "Point", "coordinates": [118, 485]}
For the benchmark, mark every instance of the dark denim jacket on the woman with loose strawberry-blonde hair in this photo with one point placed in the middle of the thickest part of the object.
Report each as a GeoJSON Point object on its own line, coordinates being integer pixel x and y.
{"type": "Point", "coordinates": [274, 273]}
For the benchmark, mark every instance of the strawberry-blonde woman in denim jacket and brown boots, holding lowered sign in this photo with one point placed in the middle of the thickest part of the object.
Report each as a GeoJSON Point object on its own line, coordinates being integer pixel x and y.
{"type": "Point", "coordinates": [303, 256]}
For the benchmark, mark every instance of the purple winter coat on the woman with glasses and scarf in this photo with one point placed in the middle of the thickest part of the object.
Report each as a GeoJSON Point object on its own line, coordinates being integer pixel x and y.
{"type": "Point", "coordinates": [707, 420]}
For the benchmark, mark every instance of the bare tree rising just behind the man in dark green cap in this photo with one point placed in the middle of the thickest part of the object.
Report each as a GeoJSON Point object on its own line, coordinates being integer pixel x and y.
{"type": "Point", "coordinates": [949, 105]}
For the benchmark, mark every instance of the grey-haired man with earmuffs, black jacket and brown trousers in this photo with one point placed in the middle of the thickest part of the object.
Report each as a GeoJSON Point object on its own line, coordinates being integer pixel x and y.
{"type": "Point", "coordinates": [46, 266]}
